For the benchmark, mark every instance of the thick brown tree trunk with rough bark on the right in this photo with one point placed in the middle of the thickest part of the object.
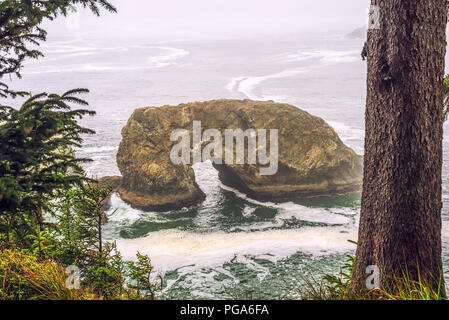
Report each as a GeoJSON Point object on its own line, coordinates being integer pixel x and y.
{"type": "Point", "coordinates": [400, 220]}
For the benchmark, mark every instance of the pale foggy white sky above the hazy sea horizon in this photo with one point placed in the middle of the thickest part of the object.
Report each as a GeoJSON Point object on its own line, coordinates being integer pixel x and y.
{"type": "Point", "coordinates": [218, 17]}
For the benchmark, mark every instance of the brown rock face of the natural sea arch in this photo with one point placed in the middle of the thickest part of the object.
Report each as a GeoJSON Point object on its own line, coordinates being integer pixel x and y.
{"type": "Point", "coordinates": [312, 159]}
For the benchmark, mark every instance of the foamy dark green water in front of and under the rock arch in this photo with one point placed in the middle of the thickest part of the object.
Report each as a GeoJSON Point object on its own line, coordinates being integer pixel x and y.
{"type": "Point", "coordinates": [235, 247]}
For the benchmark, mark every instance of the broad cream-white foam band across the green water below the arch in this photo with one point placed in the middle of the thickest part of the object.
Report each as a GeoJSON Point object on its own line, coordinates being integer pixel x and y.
{"type": "Point", "coordinates": [174, 249]}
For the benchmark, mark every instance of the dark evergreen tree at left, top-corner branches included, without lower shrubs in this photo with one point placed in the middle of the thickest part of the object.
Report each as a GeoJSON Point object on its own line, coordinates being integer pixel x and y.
{"type": "Point", "coordinates": [36, 140]}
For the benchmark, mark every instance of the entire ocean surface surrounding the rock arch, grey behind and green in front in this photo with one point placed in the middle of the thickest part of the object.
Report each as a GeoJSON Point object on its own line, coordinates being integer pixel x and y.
{"type": "Point", "coordinates": [230, 246]}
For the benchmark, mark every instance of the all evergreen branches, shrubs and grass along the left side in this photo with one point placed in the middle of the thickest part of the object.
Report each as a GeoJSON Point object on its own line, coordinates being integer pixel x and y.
{"type": "Point", "coordinates": [50, 211]}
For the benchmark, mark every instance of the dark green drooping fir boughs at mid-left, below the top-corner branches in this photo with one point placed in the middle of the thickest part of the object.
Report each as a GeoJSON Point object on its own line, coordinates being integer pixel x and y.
{"type": "Point", "coordinates": [37, 157]}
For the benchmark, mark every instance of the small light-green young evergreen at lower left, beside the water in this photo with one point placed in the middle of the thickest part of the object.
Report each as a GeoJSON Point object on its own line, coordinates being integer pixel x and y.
{"type": "Point", "coordinates": [79, 230]}
